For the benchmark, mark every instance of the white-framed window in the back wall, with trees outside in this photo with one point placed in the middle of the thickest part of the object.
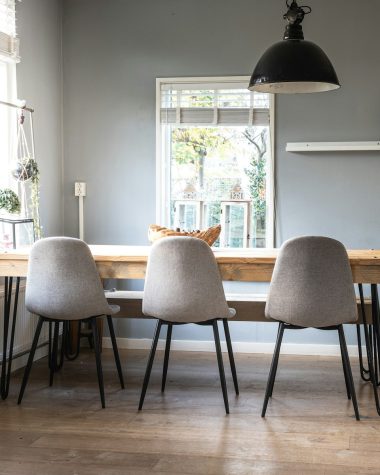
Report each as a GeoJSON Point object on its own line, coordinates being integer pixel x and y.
{"type": "Point", "coordinates": [214, 159]}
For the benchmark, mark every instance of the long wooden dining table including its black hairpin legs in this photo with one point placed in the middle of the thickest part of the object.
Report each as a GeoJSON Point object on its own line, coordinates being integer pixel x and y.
{"type": "Point", "coordinates": [244, 265]}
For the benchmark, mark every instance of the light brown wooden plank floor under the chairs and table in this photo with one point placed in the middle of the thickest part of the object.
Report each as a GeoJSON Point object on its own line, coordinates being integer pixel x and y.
{"type": "Point", "coordinates": [309, 428]}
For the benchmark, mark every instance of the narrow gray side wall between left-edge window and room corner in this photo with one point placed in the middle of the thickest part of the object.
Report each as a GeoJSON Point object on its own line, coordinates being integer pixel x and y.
{"type": "Point", "coordinates": [39, 83]}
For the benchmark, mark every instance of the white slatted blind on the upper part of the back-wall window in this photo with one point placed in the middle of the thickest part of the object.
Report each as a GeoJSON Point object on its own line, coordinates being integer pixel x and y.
{"type": "Point", "coordinates": [225, 103]}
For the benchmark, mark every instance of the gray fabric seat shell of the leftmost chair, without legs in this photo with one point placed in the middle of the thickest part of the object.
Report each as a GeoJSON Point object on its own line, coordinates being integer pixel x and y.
{"type": "Point", "coordinates": [63, 281]}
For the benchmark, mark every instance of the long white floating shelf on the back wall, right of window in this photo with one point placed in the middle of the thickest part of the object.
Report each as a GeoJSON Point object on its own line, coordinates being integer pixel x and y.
{"type": "Point", "coordinates": [332, 146]}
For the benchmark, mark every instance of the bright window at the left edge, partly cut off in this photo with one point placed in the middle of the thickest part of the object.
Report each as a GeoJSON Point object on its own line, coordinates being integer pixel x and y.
{"type": "Point", "coordinates": [8, 60]}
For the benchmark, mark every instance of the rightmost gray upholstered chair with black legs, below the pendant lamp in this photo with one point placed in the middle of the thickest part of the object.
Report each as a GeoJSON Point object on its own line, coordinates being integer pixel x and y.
{"type": "Point", "coordinates": [312, 287]}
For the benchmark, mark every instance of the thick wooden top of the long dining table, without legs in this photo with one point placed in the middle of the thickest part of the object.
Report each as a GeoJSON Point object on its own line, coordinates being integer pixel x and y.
{"type": "Point", "coordinates": [126, 262]}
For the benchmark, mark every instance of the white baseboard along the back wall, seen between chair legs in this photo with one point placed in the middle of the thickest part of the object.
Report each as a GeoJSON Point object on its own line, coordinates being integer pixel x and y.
{"type": "Point", "coordinates": [239, 347]}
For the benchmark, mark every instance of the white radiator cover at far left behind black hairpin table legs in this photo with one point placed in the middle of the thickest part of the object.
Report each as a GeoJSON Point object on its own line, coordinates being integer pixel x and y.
{"type": "Point", "coordinates": [25, 327]}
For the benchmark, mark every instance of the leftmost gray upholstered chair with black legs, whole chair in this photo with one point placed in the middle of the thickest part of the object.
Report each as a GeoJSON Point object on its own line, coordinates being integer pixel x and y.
{"type": "Point", "coordinates": [63, 284]}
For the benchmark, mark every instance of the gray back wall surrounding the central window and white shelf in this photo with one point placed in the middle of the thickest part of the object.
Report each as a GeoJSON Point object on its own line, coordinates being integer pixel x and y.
{"type": "Point", "coordinates": [113, 51]}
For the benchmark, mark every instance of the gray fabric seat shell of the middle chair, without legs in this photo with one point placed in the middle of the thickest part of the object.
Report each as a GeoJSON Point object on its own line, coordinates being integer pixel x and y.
{"type": "Point", "coordinates": [183, 283]}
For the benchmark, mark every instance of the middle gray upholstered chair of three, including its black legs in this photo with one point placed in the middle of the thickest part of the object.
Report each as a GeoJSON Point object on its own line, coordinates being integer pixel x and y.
{"type": "Point", "coordinates": [183, 285]}
